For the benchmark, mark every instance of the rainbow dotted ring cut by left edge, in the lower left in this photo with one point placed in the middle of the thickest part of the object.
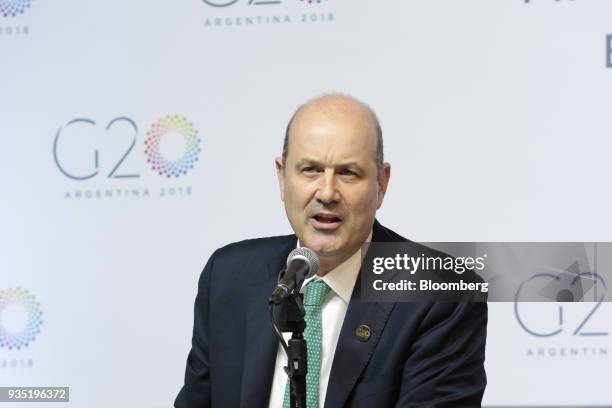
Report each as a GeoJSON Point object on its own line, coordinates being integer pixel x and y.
{"type": "Point", "coordinates": [24, 299]}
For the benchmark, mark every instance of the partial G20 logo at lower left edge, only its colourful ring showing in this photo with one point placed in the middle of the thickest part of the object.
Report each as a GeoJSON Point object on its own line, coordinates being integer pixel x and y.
{"type": "Point", "coordinates": [22, 302]}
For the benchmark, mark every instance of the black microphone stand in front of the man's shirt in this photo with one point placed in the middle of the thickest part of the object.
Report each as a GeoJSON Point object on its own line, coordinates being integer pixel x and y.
{"type": "Point", "coordinates": [291, 319]}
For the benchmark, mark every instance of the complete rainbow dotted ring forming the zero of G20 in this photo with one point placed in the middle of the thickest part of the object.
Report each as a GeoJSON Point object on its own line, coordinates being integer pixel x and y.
{"type": "Point", "coordinates": [172, 124]}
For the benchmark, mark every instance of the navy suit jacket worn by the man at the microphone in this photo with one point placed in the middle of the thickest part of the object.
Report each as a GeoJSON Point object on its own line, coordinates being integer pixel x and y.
{"type": "Point", "coordinates": [418, 354]}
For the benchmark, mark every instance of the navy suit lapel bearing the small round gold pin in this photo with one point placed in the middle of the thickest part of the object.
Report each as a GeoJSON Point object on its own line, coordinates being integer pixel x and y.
{"type": "Point", "coordinates": [352, 354]}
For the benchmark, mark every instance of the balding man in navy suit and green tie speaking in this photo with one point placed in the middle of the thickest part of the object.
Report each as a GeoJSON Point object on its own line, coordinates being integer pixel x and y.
{"type": "Point", "coordinates": [332, 180]}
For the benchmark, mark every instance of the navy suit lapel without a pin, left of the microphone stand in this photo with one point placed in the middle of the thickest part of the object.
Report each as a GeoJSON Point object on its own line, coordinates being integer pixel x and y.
{"type": "Point", "coordinates": [261, 344]}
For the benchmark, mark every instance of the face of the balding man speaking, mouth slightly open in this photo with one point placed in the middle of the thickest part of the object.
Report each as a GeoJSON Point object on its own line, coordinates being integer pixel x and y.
{"type": "Point", "coordinates": [329, 184]}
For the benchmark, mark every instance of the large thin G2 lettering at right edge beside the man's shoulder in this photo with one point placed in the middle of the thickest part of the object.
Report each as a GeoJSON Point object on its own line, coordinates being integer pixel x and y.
{"type": "Point", "coordinates": [555, 322]}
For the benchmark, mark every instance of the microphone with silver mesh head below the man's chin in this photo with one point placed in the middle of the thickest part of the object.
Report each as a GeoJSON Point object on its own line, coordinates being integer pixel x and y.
{"type": "Point", "coordinates": [302, 263]}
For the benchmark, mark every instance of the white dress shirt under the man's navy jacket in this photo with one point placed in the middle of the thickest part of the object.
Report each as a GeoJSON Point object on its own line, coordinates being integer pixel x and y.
{"type": "Point", "coordinates": [341, 280]}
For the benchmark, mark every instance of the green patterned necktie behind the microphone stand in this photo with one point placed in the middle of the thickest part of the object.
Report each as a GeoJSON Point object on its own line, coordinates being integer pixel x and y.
{"type": "Point", "coordinates": [315, 293]}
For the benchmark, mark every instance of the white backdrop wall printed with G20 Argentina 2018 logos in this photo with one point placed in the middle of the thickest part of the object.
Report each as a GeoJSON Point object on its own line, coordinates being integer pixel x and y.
{"type": "Point", "coordinates": [496, 116]}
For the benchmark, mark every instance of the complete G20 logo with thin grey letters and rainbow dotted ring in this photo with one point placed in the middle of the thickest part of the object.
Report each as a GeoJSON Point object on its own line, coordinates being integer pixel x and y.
{"type": "Point", "coordinates": [90, 162]}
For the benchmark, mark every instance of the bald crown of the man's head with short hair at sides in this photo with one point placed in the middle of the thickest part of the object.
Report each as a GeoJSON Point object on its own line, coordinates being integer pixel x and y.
{"type": "Point", "coordinates": [338, 106]}
